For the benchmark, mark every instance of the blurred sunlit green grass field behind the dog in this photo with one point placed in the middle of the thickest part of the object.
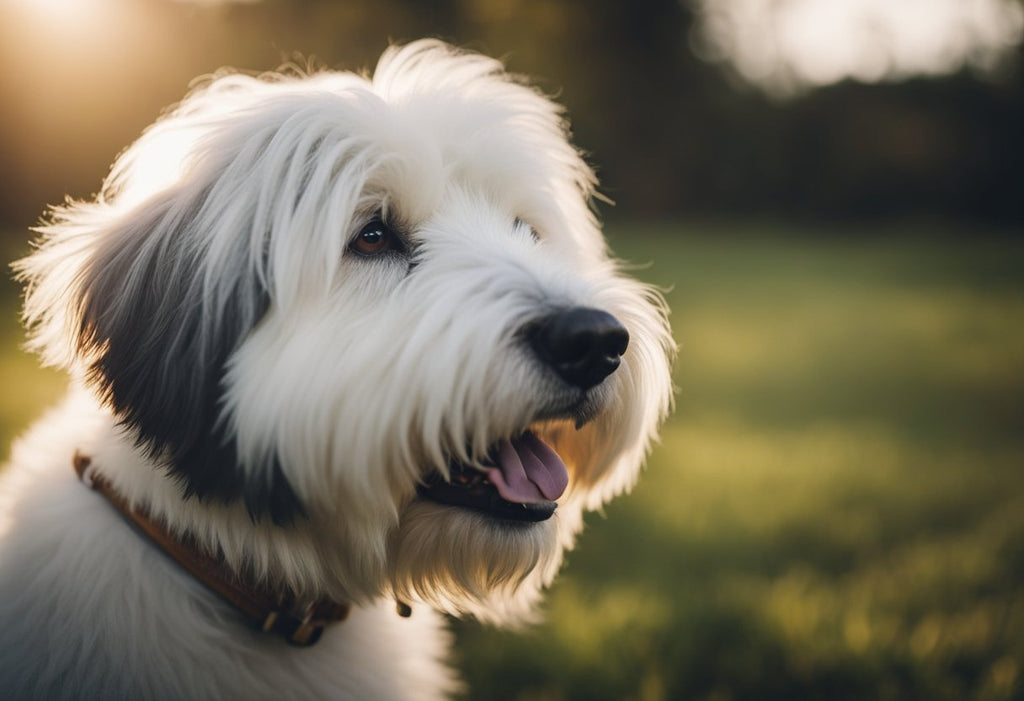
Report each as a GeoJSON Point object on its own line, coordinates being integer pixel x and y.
{"type": "Point", "coordinates": [837, 508]}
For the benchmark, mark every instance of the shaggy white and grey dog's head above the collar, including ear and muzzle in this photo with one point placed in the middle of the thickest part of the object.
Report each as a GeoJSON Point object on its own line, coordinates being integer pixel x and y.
{"type": "Point", "coordinates": [376, 311]}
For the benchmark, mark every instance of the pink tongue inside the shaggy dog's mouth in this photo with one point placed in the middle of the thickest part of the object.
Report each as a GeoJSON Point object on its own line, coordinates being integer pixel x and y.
{"type": "Point", "coordinates": [529, 471]}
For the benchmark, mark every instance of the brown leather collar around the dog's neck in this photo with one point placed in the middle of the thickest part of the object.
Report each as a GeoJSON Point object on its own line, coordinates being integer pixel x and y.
{"type": "Point", "coordinates": [270, 612]}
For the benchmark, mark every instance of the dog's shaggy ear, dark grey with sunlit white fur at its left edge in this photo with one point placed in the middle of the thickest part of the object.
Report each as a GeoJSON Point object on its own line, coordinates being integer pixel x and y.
{"type": "Point", "coordinates": [152, 331]}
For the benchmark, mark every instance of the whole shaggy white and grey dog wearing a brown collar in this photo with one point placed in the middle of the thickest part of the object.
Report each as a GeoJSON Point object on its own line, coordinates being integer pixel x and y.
{"type": "Point", "coordinates": [349, 355]}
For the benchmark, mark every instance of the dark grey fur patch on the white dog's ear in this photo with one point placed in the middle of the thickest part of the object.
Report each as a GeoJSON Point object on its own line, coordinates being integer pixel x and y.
{"type": "Point", "coordinates": [160, 352]}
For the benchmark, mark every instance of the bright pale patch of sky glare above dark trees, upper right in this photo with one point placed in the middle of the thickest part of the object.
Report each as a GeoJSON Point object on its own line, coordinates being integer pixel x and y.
{"type": "Point", "coordinates": [786, 47]}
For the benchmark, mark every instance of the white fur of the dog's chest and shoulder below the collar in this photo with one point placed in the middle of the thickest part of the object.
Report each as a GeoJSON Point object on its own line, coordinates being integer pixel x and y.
{"type": "Point", "coordinates": [130, 624]}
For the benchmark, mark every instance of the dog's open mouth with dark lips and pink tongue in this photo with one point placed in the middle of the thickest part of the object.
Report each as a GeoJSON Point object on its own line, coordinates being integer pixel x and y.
{"type": "Point", "coordinates": [521, 483]}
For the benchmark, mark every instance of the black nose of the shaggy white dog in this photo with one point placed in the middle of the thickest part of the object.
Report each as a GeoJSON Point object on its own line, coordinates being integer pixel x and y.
{"type": "Point", "coordinates": [582, 345]}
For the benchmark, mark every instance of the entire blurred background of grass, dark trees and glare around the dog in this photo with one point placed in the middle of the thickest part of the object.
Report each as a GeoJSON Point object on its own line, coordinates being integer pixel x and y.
{"type": "Point", "coordinates": [832, 194]}
